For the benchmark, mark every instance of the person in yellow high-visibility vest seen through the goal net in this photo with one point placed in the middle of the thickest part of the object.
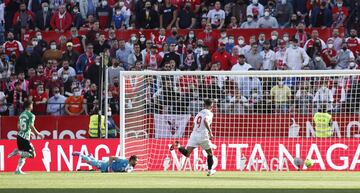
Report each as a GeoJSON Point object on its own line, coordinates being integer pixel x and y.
{"type": "Point", "coordinates": [323, 123]}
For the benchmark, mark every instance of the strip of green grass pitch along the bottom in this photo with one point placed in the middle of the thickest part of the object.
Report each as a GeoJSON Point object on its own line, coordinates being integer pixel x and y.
{"type": "Point", "coordinates": [182, 182]}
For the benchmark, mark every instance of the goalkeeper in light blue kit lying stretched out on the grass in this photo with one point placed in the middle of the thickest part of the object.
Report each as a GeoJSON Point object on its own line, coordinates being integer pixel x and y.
{"type": "Point", "coordinates": [115, 164]}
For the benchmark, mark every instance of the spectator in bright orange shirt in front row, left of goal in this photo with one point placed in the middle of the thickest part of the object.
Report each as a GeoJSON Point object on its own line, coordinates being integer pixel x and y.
{"type": "Point", "coordinates": [75, 104]}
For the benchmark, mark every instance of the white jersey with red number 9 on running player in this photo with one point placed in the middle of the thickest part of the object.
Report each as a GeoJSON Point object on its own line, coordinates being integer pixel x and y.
{"type": "Point", "coordinates": [199, 124]}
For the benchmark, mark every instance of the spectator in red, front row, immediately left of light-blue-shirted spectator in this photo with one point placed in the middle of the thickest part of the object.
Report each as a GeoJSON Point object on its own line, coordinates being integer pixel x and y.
{"type": "Point", "coordinates": [39, 97]}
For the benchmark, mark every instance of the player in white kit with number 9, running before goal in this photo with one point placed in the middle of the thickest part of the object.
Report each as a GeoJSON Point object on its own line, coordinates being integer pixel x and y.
{"type": "Point", "coordinates": [201, 135]}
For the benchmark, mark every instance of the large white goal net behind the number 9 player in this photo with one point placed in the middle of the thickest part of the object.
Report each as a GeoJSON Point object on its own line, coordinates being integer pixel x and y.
{"type": "Point", "coordinates": [263, 120]}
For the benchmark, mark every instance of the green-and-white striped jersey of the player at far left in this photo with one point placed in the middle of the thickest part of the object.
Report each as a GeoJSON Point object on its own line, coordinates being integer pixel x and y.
{"type": "Point", "coordinates": [26, 119]}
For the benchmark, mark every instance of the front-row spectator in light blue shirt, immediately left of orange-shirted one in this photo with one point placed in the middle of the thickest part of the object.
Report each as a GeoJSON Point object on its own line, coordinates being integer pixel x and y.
{"type": "Point", "coordinates": [56, 103]}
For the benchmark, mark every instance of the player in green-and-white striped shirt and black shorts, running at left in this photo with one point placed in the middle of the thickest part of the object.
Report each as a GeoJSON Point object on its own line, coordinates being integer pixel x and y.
{"type": "Point", "coordinates": [26, 128]}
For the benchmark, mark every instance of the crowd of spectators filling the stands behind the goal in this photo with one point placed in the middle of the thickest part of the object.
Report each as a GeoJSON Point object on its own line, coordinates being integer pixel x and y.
{"type": "Point", "coordinates": [62, 76]}
